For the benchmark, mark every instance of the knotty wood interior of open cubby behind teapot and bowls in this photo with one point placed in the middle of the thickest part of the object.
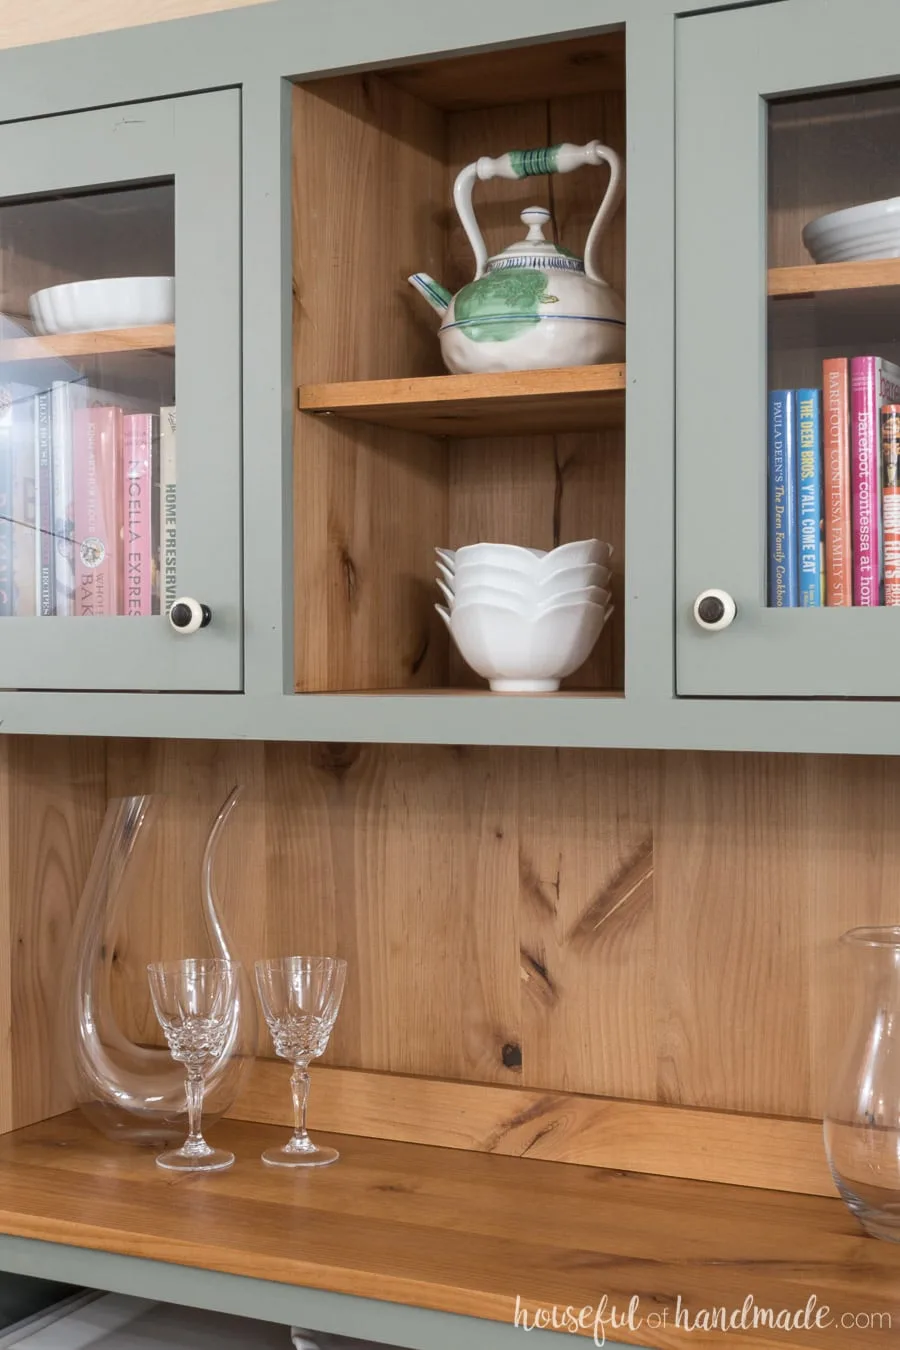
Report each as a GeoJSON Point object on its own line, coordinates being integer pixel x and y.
{"type": "Point", "coordinates": [374, 160]}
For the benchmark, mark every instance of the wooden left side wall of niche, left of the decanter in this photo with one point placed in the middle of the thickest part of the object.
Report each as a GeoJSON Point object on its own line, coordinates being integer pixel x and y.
{"type": "Point", "coordinates": [52, 805]}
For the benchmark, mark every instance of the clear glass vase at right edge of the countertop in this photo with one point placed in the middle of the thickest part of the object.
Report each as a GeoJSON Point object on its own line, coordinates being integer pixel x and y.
{"type": "Point", "coordinates": [863, 1113]}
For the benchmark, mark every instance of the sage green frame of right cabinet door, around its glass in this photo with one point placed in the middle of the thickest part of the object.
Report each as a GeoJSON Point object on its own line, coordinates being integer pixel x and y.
{"type": "Point", "coordinates": [721, 327]}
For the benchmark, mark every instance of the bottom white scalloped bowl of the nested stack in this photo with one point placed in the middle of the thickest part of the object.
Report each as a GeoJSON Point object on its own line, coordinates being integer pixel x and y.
{"type": "Point", "coordinates": [522, 655]}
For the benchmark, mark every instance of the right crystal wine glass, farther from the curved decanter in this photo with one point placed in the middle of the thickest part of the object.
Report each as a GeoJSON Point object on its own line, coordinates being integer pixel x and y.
{"type": "Point", "coordinates": [302, 997]}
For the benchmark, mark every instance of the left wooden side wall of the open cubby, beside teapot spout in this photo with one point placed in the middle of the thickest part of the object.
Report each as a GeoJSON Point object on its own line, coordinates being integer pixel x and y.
{"type": "Point", "coordinates": [370, 503]}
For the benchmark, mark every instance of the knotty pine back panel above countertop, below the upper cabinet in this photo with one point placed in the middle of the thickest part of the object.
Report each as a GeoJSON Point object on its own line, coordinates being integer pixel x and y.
{"type": "Point", "coordinates": [642, 925]}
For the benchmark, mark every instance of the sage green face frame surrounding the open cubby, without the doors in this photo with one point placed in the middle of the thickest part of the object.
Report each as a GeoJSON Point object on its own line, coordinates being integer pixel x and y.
{"type": "Point", "coordinates": [260, 51]}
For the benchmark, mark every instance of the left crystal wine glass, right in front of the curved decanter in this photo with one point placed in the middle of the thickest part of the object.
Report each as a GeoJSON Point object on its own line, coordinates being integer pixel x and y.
{"type": "Point", "coordinates": [195, 1004]}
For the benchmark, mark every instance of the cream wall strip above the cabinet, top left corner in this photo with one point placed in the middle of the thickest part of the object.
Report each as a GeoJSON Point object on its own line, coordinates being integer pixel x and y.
{"type": "Point", "coordinates": [45, 21]}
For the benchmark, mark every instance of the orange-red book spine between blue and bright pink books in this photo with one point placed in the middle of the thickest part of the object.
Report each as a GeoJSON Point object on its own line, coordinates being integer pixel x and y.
{"type": "Point", "coordinates": [839, 537]}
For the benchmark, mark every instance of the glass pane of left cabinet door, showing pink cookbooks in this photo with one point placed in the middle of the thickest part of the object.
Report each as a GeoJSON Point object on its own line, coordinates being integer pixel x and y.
{"type": "Point", "coordinates": [88, 404]}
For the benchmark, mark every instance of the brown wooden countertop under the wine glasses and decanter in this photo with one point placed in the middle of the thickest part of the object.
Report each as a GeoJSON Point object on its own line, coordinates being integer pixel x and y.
{"type": "Point", "coordinates": [462, 1232]}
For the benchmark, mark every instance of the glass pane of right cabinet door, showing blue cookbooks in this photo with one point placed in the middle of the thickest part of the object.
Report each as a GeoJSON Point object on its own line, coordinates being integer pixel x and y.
{"type": "Point", "coordinates": [835, 349]}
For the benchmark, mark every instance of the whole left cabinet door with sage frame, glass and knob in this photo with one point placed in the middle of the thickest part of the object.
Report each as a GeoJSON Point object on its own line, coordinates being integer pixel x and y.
{"type": "Point", "coordinates": [119, 399]}
